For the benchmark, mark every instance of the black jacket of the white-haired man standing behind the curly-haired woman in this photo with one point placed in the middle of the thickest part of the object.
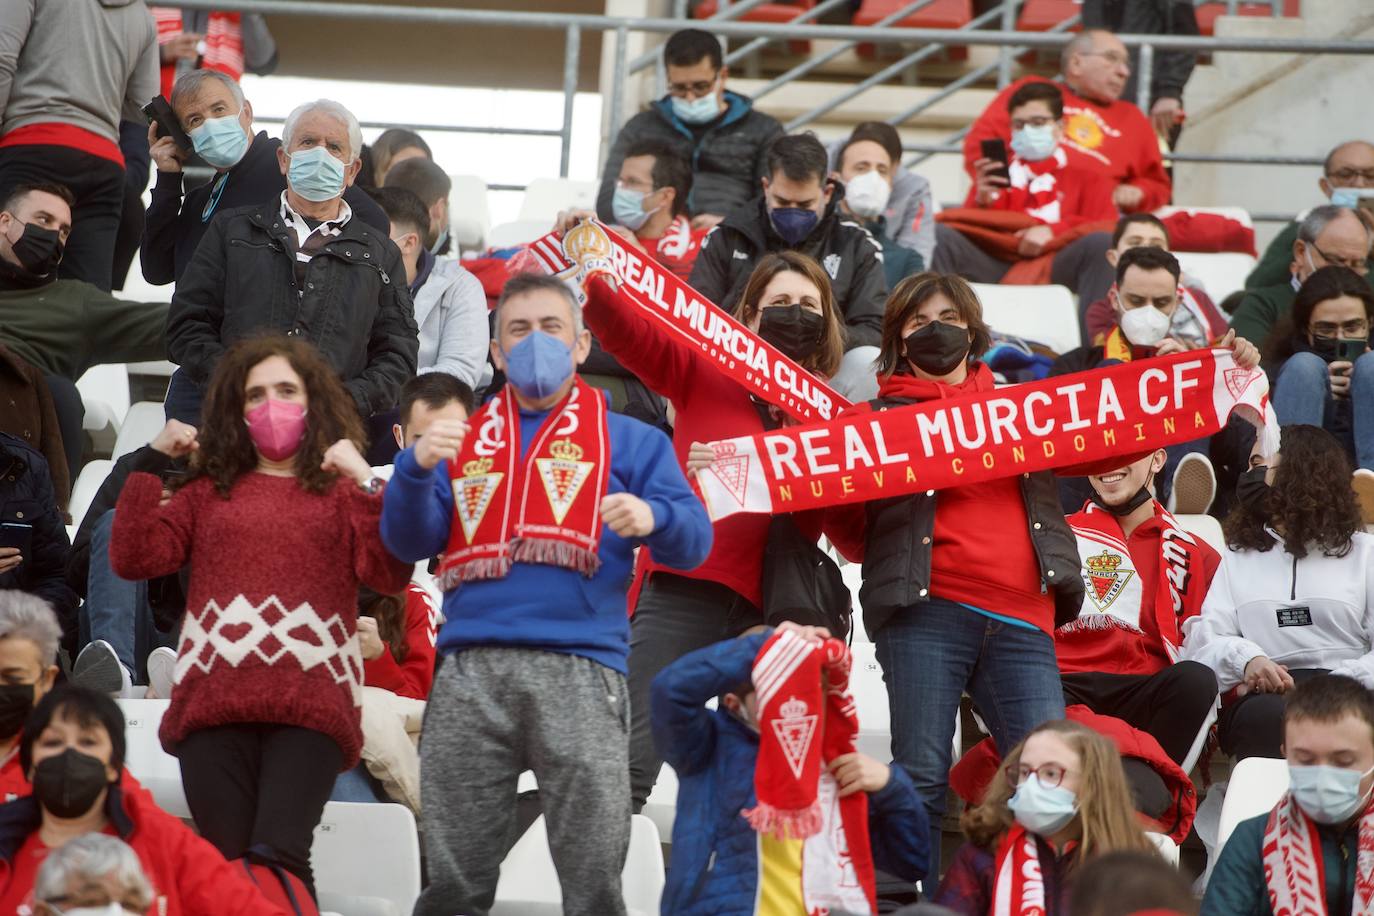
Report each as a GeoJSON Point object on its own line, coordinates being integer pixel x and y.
{"type": "Point", "coordinates": [357, 307]}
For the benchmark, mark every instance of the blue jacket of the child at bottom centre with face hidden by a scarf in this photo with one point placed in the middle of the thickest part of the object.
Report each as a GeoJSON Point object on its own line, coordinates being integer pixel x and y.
{"type": "Point", "coordinates": [715, 869]}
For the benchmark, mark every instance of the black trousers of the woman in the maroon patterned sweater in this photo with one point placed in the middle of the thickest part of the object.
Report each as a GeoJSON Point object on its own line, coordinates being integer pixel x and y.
{"type": "Point", "coordinates": [262, 789]}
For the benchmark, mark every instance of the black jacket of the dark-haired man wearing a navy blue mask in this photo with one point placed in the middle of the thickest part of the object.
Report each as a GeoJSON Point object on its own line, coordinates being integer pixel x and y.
{"type": "Point", "coordinates": [842, 247]}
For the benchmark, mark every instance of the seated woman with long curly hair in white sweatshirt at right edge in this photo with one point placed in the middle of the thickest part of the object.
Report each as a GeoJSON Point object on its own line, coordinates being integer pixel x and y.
{"type": "Point", "coordinates": [1295, 594]}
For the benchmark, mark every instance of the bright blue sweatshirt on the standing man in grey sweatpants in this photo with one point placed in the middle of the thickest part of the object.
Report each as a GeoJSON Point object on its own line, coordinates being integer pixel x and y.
{"type": "Point", "coordinates": [550, 608]}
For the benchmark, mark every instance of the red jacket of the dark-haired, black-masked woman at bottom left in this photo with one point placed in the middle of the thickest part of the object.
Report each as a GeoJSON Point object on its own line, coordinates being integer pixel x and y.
{"type": "Point", "coordinates": [189, 877]}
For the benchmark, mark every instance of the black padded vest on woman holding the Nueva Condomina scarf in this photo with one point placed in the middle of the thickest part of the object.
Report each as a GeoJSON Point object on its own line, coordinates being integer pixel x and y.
{"type": "Point", "coordinates": [898, 546]}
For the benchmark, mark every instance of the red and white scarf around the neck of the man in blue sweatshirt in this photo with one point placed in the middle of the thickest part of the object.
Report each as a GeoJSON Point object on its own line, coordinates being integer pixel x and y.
{"type": "Point", "coordinates": [545, 509]}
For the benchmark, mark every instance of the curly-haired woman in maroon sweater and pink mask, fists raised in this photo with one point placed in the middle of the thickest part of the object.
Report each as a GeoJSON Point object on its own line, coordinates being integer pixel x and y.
{"type": "Point", "coordinates": [266, 698]}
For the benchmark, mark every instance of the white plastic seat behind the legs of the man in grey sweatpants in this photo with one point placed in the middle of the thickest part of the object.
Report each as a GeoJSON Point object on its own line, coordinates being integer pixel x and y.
{"type": "Point", "coordinates": [530, 886]}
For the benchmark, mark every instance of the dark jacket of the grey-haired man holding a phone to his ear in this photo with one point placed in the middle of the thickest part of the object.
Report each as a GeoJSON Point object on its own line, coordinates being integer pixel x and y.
{"type": "Point", "coordinates": [174, 227]}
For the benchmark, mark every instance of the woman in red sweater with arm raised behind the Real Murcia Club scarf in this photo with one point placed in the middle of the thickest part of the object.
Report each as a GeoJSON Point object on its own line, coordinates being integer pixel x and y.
{"type": "Point", "coordinates": [789, 304]}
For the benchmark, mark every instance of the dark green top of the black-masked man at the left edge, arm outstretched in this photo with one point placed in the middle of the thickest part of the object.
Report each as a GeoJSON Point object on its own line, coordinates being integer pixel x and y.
{"type": "Point", "coordinates": [67, 326]}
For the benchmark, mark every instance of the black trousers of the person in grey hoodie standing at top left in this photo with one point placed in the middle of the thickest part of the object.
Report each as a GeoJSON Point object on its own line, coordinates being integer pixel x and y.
{"type": "Point", "coordinates": [97, 185]}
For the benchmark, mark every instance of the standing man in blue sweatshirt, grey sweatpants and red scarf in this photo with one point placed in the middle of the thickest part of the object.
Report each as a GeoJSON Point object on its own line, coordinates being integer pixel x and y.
{"type": "Point", "coordinates": [537, 507]}
